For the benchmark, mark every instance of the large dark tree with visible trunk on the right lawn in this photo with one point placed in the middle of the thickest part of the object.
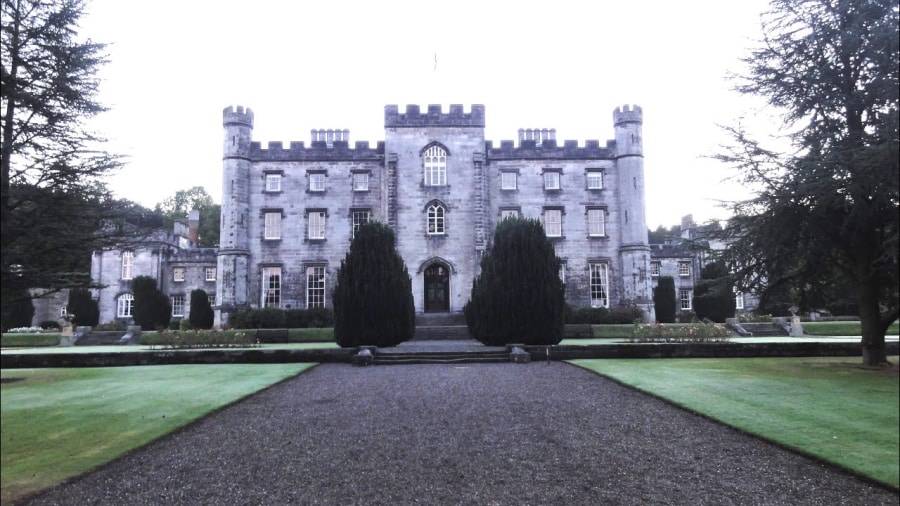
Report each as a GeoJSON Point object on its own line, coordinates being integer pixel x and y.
{"type": "Point", "coordinates": [830, 208]}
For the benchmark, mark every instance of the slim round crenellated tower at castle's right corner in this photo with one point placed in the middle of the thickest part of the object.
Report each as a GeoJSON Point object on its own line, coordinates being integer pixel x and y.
{"type": "Point", "coordinates": [634, 251]}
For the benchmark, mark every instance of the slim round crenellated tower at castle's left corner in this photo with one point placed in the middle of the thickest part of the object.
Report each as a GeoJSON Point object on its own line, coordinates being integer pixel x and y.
{"type": "Point", "coordinates": [234, 253]}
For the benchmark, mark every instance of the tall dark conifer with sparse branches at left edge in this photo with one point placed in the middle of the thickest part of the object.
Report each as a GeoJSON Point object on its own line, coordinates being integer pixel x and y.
{"type": "Point", "coordinates": [54, 206]}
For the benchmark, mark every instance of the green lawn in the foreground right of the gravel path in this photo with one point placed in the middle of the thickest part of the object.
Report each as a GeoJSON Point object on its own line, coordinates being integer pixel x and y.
{"type": "Point", "coordinates": [829, 408]}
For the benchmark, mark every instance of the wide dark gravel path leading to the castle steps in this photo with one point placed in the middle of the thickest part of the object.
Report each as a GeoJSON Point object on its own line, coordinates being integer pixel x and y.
{"type": "Point", "coordinates": [507, 434]}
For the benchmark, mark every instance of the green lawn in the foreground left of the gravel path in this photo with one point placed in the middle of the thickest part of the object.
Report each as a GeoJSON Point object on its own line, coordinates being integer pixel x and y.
{"type": "Point", "coordinates": [60, 423]}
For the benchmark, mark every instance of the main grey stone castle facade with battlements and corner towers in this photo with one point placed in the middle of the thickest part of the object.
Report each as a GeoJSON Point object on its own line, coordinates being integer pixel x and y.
{"type": "Point", "coordinates": [289, 213]}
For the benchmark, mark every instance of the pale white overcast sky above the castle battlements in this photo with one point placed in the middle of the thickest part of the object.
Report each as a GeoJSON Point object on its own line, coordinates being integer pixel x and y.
{"type": "Point", "coordinates": [175, 64]}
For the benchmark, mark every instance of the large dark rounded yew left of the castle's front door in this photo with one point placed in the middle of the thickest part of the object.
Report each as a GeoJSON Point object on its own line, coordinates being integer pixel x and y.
{"type": "Point", "coordinates": [372, 299]}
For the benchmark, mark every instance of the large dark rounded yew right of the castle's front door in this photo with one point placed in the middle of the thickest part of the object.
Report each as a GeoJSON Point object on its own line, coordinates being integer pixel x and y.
{"type": "Point", "coordinates": [518, 297]}
